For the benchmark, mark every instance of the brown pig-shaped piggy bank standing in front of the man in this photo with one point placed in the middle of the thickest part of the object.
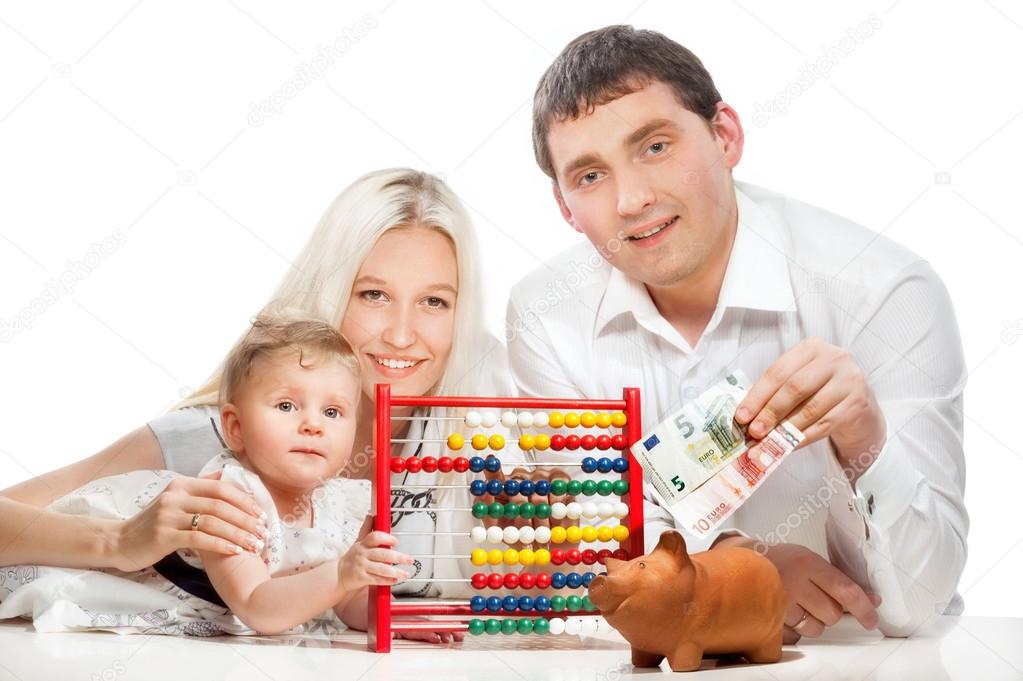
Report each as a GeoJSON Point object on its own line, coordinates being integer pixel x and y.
{"type": "Point", "coordinates": [672, 605]}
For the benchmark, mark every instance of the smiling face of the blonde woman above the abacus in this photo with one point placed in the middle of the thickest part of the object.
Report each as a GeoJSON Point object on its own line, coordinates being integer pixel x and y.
{"type": "Point", "coordinates": [402, 317]}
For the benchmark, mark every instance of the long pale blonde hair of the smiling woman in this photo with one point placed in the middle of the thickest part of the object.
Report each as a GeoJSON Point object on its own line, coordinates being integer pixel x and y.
{"type": "Point", "coordinates": [320, 285]}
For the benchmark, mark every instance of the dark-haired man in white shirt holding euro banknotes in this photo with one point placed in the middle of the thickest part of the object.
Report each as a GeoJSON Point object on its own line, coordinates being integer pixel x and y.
{"type": "Point", "coordinates": [849, 336]}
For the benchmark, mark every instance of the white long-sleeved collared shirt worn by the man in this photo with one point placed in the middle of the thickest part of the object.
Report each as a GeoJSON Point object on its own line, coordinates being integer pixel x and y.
{"type": "Point", "coordinates": [579, 328]}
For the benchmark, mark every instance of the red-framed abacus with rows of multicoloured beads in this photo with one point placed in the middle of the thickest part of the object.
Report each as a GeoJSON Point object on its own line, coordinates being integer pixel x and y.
{"type": "Point", "coordinates": [518, 612]}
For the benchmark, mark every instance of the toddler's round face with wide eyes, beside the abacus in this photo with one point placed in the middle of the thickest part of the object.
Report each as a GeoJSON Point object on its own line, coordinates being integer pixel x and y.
{"type": "Point", "coordinates": [294, 427]}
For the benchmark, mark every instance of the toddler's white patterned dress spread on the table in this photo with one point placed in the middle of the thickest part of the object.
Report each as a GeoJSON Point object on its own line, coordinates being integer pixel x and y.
{"type": "Point", "coordinates": [148, 603]}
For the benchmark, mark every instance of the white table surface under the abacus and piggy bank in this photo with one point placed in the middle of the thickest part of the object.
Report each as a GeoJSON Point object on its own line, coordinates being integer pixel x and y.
{"type": "Point", "coordinates": [974, 649]}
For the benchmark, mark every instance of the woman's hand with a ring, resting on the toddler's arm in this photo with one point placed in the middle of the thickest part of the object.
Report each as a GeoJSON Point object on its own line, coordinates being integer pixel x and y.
{"type": "Point", "coordinates": [230, 523]}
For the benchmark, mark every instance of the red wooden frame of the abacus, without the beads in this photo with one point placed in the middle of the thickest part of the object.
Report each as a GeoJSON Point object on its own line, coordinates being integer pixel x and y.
{"type": "Point", "coordinates": [381, 607]}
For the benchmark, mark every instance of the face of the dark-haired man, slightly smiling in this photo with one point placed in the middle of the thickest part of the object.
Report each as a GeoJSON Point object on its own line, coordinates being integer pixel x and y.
{"type": "Point", "coordinates": [649, 184]}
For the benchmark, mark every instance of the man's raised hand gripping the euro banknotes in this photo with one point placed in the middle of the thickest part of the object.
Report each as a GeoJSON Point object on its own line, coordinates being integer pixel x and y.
{"type": "Point", "coordinates": [821, 389]}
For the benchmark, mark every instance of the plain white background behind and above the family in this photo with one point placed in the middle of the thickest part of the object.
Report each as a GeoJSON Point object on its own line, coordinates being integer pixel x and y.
{"type": "Point", "coordinates": [136, 117]}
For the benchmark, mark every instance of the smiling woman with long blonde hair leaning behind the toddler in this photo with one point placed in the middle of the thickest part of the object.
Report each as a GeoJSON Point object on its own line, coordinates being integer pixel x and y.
{"type": "Point", "coordinates": [394, 264]}
